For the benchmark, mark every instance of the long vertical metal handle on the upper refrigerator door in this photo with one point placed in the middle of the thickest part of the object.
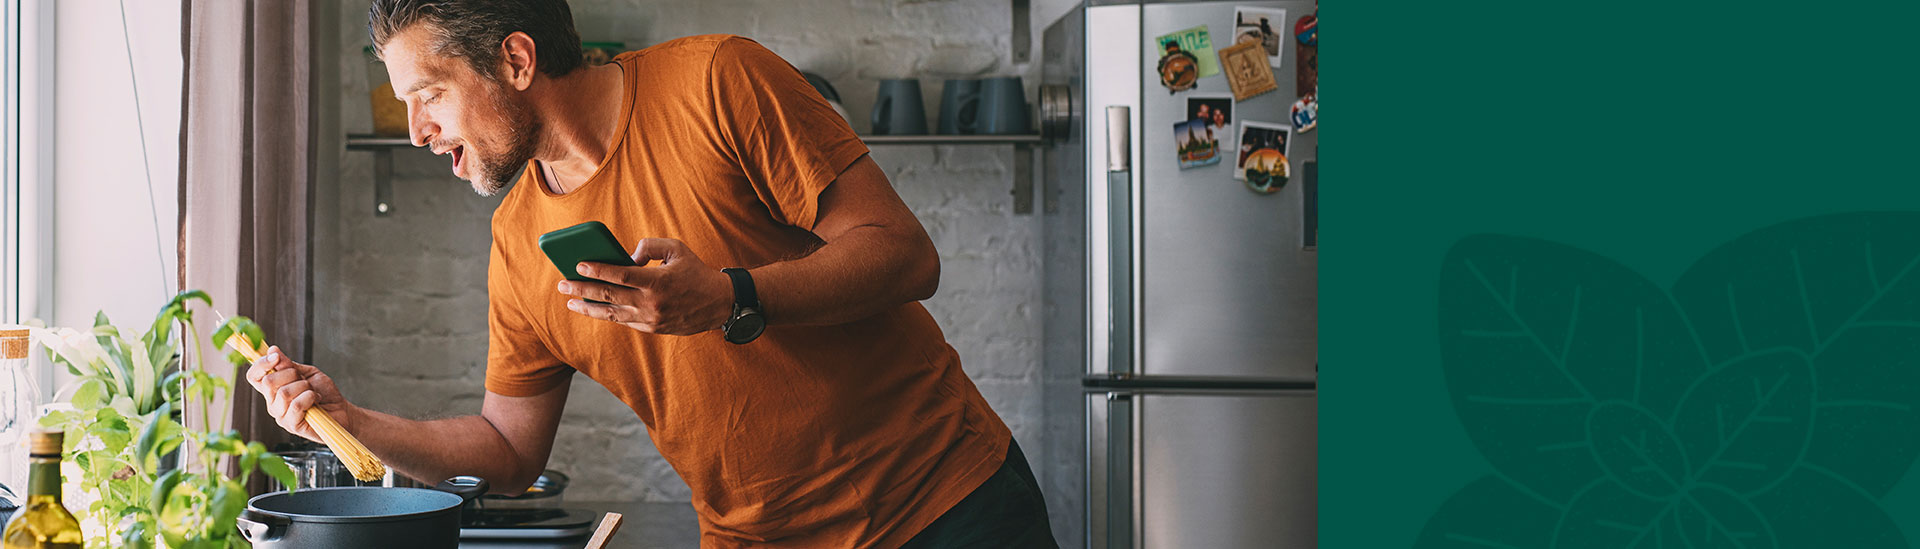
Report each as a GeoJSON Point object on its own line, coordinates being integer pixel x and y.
{"type": "Point", "coordinates": [1120, 237]}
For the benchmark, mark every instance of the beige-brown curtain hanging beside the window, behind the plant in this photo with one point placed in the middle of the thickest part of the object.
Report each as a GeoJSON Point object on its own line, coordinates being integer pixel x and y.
{"type": "Point", "coordinates": [247, 174]}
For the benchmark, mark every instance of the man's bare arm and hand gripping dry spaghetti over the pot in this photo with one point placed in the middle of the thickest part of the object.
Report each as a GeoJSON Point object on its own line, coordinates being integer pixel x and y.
{"type": "Point", "coordinates": [508, 442]}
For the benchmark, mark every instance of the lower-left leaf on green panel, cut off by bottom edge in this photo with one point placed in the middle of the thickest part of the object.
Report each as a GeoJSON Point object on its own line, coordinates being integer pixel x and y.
{"type": "Point", "coordinates": [1489, 513]}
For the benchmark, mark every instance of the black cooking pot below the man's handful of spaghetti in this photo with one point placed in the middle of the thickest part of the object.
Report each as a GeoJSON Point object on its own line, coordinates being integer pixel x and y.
{"type": "Point", "coordinates": [360, 517]}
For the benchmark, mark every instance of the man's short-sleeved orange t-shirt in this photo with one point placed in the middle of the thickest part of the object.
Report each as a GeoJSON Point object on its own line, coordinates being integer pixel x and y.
{"type": "Point", "coordinates": [811, 437]}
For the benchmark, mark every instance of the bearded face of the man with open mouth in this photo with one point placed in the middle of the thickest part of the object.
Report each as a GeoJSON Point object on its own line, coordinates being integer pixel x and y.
{"type": "Point", "coordinates": [485, 126]}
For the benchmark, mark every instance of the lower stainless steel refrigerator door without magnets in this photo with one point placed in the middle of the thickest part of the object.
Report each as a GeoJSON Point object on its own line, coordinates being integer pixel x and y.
{"type": "Point", "coordinates": [1228, 471]}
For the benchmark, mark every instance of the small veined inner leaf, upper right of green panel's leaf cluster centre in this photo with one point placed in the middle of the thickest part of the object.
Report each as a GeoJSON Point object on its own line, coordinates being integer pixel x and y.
{"type": "Point", "coordinates": [1748, 423]}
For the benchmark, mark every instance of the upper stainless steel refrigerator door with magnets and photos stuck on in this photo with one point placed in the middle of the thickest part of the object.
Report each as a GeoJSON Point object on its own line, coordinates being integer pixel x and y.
{"type": "Point", "coordinates": [1226, 287]}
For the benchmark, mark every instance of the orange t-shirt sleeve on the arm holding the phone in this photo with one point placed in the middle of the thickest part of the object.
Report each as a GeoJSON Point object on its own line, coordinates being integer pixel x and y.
{"type": "Point", "coordinates": [784, 135]}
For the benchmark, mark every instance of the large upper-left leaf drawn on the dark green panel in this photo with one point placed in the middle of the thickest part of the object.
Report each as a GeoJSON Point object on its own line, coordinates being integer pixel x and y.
{"type": "Point", "coordinates": [1535, 335]}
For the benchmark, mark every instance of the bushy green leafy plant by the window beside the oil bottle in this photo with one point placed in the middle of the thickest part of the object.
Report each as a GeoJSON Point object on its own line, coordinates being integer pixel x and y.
{"type": "Point", "coordinates": [124, 421]}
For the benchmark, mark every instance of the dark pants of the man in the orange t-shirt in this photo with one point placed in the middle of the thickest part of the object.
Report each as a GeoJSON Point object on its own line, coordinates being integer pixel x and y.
{"type": "Point", "coordinates": [1005, 512]}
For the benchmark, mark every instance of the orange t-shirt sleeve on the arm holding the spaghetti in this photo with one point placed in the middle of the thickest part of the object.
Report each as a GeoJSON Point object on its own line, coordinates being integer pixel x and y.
{"type": "Point", "coordinates": [517, 362]}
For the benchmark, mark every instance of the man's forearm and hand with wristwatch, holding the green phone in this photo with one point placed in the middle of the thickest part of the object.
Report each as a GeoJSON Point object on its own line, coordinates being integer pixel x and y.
{"type": "Point", "coordinates": [876, 256]}
